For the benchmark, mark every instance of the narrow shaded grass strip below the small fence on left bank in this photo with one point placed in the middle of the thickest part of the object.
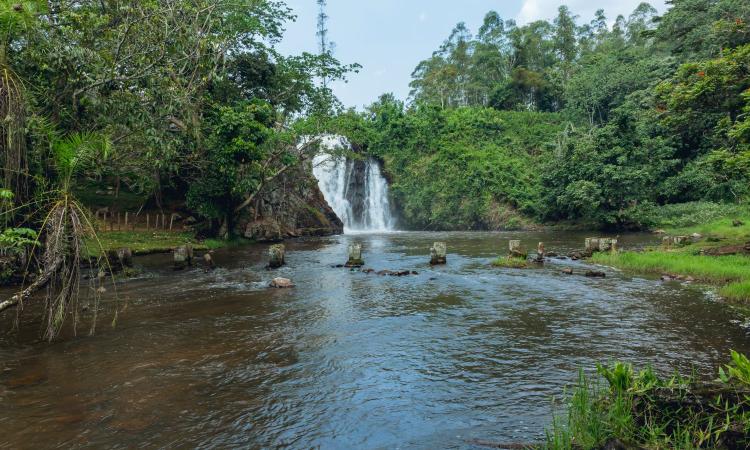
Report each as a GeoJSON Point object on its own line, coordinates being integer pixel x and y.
{"type": "Point", "coordinates": [150, 242]}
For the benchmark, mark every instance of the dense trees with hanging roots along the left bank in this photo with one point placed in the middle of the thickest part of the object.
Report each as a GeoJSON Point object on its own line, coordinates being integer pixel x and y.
{"type": "Point", "coordinates": [187, 99]}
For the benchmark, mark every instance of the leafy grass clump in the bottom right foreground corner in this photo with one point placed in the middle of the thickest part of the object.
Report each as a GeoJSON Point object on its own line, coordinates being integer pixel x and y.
{"type": "Point", "coordinates": [622, 408]}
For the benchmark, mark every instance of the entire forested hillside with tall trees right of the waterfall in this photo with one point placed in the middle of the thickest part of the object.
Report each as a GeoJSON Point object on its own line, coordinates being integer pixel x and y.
{"type": "Point", "coordinates": [595, 121]}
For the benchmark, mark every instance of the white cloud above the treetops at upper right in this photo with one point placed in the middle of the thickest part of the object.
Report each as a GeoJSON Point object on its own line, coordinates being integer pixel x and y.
{"type": "Point", "coordinates": [532, 10]}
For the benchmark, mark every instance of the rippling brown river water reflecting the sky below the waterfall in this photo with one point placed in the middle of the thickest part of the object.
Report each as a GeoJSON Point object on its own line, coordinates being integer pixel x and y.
{"type": "Point", "coordinates": [349, 360]}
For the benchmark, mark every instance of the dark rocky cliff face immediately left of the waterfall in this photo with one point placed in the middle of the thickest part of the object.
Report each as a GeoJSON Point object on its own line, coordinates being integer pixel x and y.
{"type": "Point", "coordinates": [292, 206]}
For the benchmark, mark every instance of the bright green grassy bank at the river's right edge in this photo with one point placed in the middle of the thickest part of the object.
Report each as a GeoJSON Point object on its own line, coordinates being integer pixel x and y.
{"type": "Point", "coordinates": [716, 253]}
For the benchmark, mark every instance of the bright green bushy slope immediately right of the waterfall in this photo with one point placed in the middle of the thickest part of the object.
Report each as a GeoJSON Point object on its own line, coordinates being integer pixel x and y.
{"type": "Point", "coordinates": [467, 168]}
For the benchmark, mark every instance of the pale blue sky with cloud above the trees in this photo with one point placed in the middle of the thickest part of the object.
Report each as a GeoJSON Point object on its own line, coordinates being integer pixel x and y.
{"type": "Point", "coordinates": [389, 37]}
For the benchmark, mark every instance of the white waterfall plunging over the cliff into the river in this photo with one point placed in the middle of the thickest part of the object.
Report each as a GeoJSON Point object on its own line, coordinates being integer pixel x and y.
{"type": "Point", "coordinates": [355, 189]}
